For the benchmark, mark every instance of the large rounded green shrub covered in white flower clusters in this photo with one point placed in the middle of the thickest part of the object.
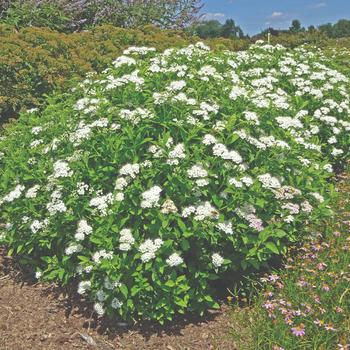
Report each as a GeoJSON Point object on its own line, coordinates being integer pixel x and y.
{"type": "Point", "coordinates": [151, 181]}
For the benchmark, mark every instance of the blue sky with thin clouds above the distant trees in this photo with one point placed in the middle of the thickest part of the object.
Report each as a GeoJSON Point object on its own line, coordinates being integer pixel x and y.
{"type": "Point", "coordinates": [255, 15]}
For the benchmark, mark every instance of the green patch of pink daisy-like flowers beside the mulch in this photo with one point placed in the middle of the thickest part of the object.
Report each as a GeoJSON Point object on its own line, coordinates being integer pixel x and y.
{"type": "Point", "coordinates": [305, 305]}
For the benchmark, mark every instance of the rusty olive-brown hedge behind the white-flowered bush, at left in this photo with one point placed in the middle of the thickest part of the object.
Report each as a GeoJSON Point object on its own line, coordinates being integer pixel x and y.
{"type": "Point", "coordinates": [36, 61]}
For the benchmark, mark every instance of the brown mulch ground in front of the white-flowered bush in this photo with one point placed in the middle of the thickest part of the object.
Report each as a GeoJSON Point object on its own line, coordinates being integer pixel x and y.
{"type": "Point", "coordinates": [36, 316]}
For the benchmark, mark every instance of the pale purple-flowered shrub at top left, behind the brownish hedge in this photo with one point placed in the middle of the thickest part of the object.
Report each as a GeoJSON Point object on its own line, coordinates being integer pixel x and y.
{"type": "Point", "coordinates": [66, 15]}
